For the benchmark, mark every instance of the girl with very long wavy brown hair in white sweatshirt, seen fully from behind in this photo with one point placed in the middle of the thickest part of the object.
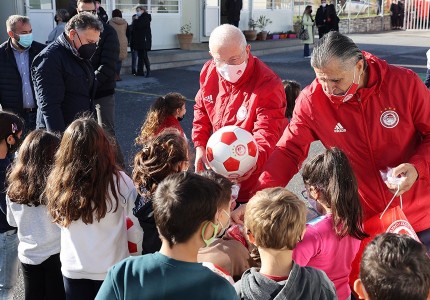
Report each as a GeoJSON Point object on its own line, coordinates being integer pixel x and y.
{"type": "Point", "coordinates": [88, 197]}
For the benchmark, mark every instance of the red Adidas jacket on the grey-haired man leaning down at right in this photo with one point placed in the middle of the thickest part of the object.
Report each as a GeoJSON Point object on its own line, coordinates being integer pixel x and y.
{"type": "Point", "coordinates": [383, 125]}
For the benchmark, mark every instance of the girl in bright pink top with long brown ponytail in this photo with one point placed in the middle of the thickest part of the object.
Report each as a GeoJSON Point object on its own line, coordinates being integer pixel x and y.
{"type": "Point", "coordinates": [332, 240]}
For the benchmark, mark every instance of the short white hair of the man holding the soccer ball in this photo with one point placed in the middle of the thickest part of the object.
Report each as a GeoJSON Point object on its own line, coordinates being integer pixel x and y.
{"type": "Point", "coordinates": [227, 34]}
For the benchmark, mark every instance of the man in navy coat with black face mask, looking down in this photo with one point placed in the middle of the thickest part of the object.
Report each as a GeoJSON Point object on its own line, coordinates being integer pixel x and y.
{"type": "Point", "coordinates": [62, 74]}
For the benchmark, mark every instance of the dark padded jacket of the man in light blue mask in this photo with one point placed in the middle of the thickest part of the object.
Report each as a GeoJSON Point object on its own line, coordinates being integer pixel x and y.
{"type": "Point", "coordinates": [10, 79]}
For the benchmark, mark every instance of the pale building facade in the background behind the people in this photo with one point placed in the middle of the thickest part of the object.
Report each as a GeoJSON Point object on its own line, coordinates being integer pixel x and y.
{"type": "Point", "coordinates": [167, 16]}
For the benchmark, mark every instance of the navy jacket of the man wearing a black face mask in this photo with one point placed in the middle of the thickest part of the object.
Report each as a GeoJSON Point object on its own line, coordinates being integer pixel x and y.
{"type": "Point", "coordinates": [64, 84]}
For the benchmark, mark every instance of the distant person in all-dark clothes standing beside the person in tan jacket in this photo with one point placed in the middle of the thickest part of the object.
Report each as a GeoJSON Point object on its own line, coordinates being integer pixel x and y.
{"type": "Point", "coordinates": [141, 39]}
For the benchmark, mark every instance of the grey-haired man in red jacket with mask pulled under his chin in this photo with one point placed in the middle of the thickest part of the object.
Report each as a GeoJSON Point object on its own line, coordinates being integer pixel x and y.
{"type": "Point", "coordinates": [378, 114]}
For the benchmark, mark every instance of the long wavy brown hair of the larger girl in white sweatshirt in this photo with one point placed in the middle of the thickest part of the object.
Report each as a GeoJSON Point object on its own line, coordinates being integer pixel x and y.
{"type": "Point", "coordinates": [83, 172]}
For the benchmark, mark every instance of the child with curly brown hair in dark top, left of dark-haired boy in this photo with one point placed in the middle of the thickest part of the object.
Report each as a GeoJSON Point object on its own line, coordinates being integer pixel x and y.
{"type": "Point", "coordinates": [162, 155]}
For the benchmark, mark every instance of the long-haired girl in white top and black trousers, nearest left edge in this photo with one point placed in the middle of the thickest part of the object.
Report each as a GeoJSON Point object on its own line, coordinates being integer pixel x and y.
{"type": "Point", "coordinates": [39, 238]}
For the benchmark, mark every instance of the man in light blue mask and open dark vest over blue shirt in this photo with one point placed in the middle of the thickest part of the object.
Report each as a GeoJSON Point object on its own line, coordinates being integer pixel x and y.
{"type": "Point", "coordinates": [16, 55]}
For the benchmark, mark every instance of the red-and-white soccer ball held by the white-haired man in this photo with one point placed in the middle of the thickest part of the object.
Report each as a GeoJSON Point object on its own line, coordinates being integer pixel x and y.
{"type": "Point", "coordinates": [231, 151]}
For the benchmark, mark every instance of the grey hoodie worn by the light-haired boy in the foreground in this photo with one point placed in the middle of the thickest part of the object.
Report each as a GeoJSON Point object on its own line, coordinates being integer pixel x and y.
{"type": "Point", "coordinates": [303, 283]}
